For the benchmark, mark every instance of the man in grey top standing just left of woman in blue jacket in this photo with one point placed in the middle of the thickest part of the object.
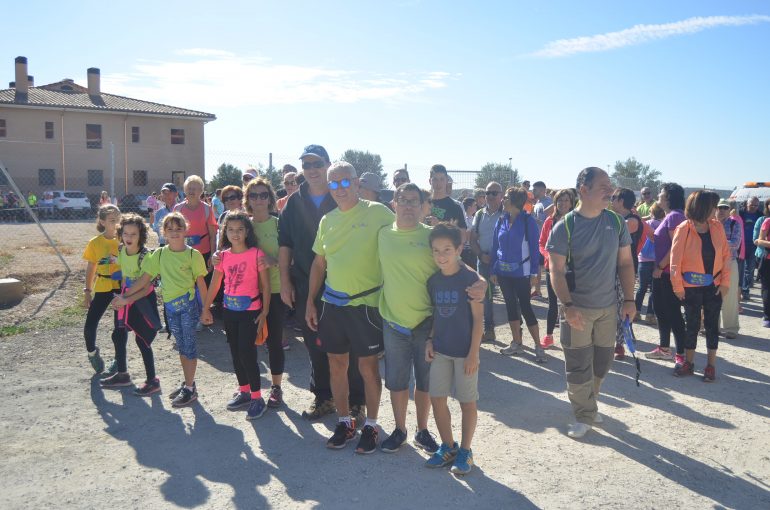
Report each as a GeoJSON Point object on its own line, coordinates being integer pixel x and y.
{"type": "Point", "coordinates": [482, 233]}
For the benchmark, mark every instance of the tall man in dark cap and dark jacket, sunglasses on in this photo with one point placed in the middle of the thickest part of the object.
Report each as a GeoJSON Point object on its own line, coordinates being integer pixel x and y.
{"type": "Point", "coordinates": [298, 225]}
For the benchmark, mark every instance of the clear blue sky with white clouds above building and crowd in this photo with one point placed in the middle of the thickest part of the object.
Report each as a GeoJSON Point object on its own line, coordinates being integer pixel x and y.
{"type": "Point", "coordinates": [548, 86]}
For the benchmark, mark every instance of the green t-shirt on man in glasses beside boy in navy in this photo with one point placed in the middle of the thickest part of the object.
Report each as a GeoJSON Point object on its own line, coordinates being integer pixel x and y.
{"type": "Point", "coordinates": [407, 263]}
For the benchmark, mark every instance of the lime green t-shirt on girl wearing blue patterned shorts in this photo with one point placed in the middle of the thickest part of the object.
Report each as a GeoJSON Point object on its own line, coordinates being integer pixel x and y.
{"type": "Point", "coordinates": [178, 270]}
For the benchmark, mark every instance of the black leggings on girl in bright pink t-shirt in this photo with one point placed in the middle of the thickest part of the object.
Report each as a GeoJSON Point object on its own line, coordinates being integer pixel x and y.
{"type": "Point", "coordinates": [241, 333]}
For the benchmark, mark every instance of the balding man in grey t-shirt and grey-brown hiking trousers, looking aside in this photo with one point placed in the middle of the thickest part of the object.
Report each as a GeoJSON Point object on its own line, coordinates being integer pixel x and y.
{"type": "Point", "coordinates": [586, 250]}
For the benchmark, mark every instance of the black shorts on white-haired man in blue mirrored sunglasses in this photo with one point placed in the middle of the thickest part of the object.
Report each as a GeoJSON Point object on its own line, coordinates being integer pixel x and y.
{"type": "Point", "coordinates": [345, 329]}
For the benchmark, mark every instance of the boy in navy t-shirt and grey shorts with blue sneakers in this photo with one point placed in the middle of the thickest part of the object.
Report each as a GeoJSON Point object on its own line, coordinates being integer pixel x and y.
{"type": "Point", "coordinates": [452, 348]}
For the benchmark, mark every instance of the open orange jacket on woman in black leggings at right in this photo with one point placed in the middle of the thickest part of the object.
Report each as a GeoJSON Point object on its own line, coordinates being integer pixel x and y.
{"type": "Point", "coordinates": [686, 254]}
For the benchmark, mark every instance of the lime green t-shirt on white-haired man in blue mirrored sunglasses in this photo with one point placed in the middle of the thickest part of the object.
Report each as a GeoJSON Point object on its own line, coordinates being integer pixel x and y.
{"type": "Point", "coordinates": [348, 241]}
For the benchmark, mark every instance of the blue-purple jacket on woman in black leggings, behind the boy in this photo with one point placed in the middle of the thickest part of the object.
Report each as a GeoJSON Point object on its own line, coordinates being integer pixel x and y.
{"type": "Point", "coordinates": [511, 246]}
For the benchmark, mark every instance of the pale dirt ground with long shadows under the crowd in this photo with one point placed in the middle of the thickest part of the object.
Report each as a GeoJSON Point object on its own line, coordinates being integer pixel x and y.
{"type": "Point", "coordinates": [669, 443]}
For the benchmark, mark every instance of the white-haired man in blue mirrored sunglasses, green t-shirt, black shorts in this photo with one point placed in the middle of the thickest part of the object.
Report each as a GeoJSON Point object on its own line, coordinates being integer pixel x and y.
{"type": "Point", "coordinates": [348, 322]}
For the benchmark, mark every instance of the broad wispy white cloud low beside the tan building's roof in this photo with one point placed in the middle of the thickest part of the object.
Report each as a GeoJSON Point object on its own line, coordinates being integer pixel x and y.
{"type": "Point", "coordinates": [210, 78]}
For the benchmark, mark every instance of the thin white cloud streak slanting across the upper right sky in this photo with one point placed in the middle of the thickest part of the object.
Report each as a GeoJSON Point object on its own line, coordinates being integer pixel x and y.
{"type": "Point", "coordinates": [641, 34]}
